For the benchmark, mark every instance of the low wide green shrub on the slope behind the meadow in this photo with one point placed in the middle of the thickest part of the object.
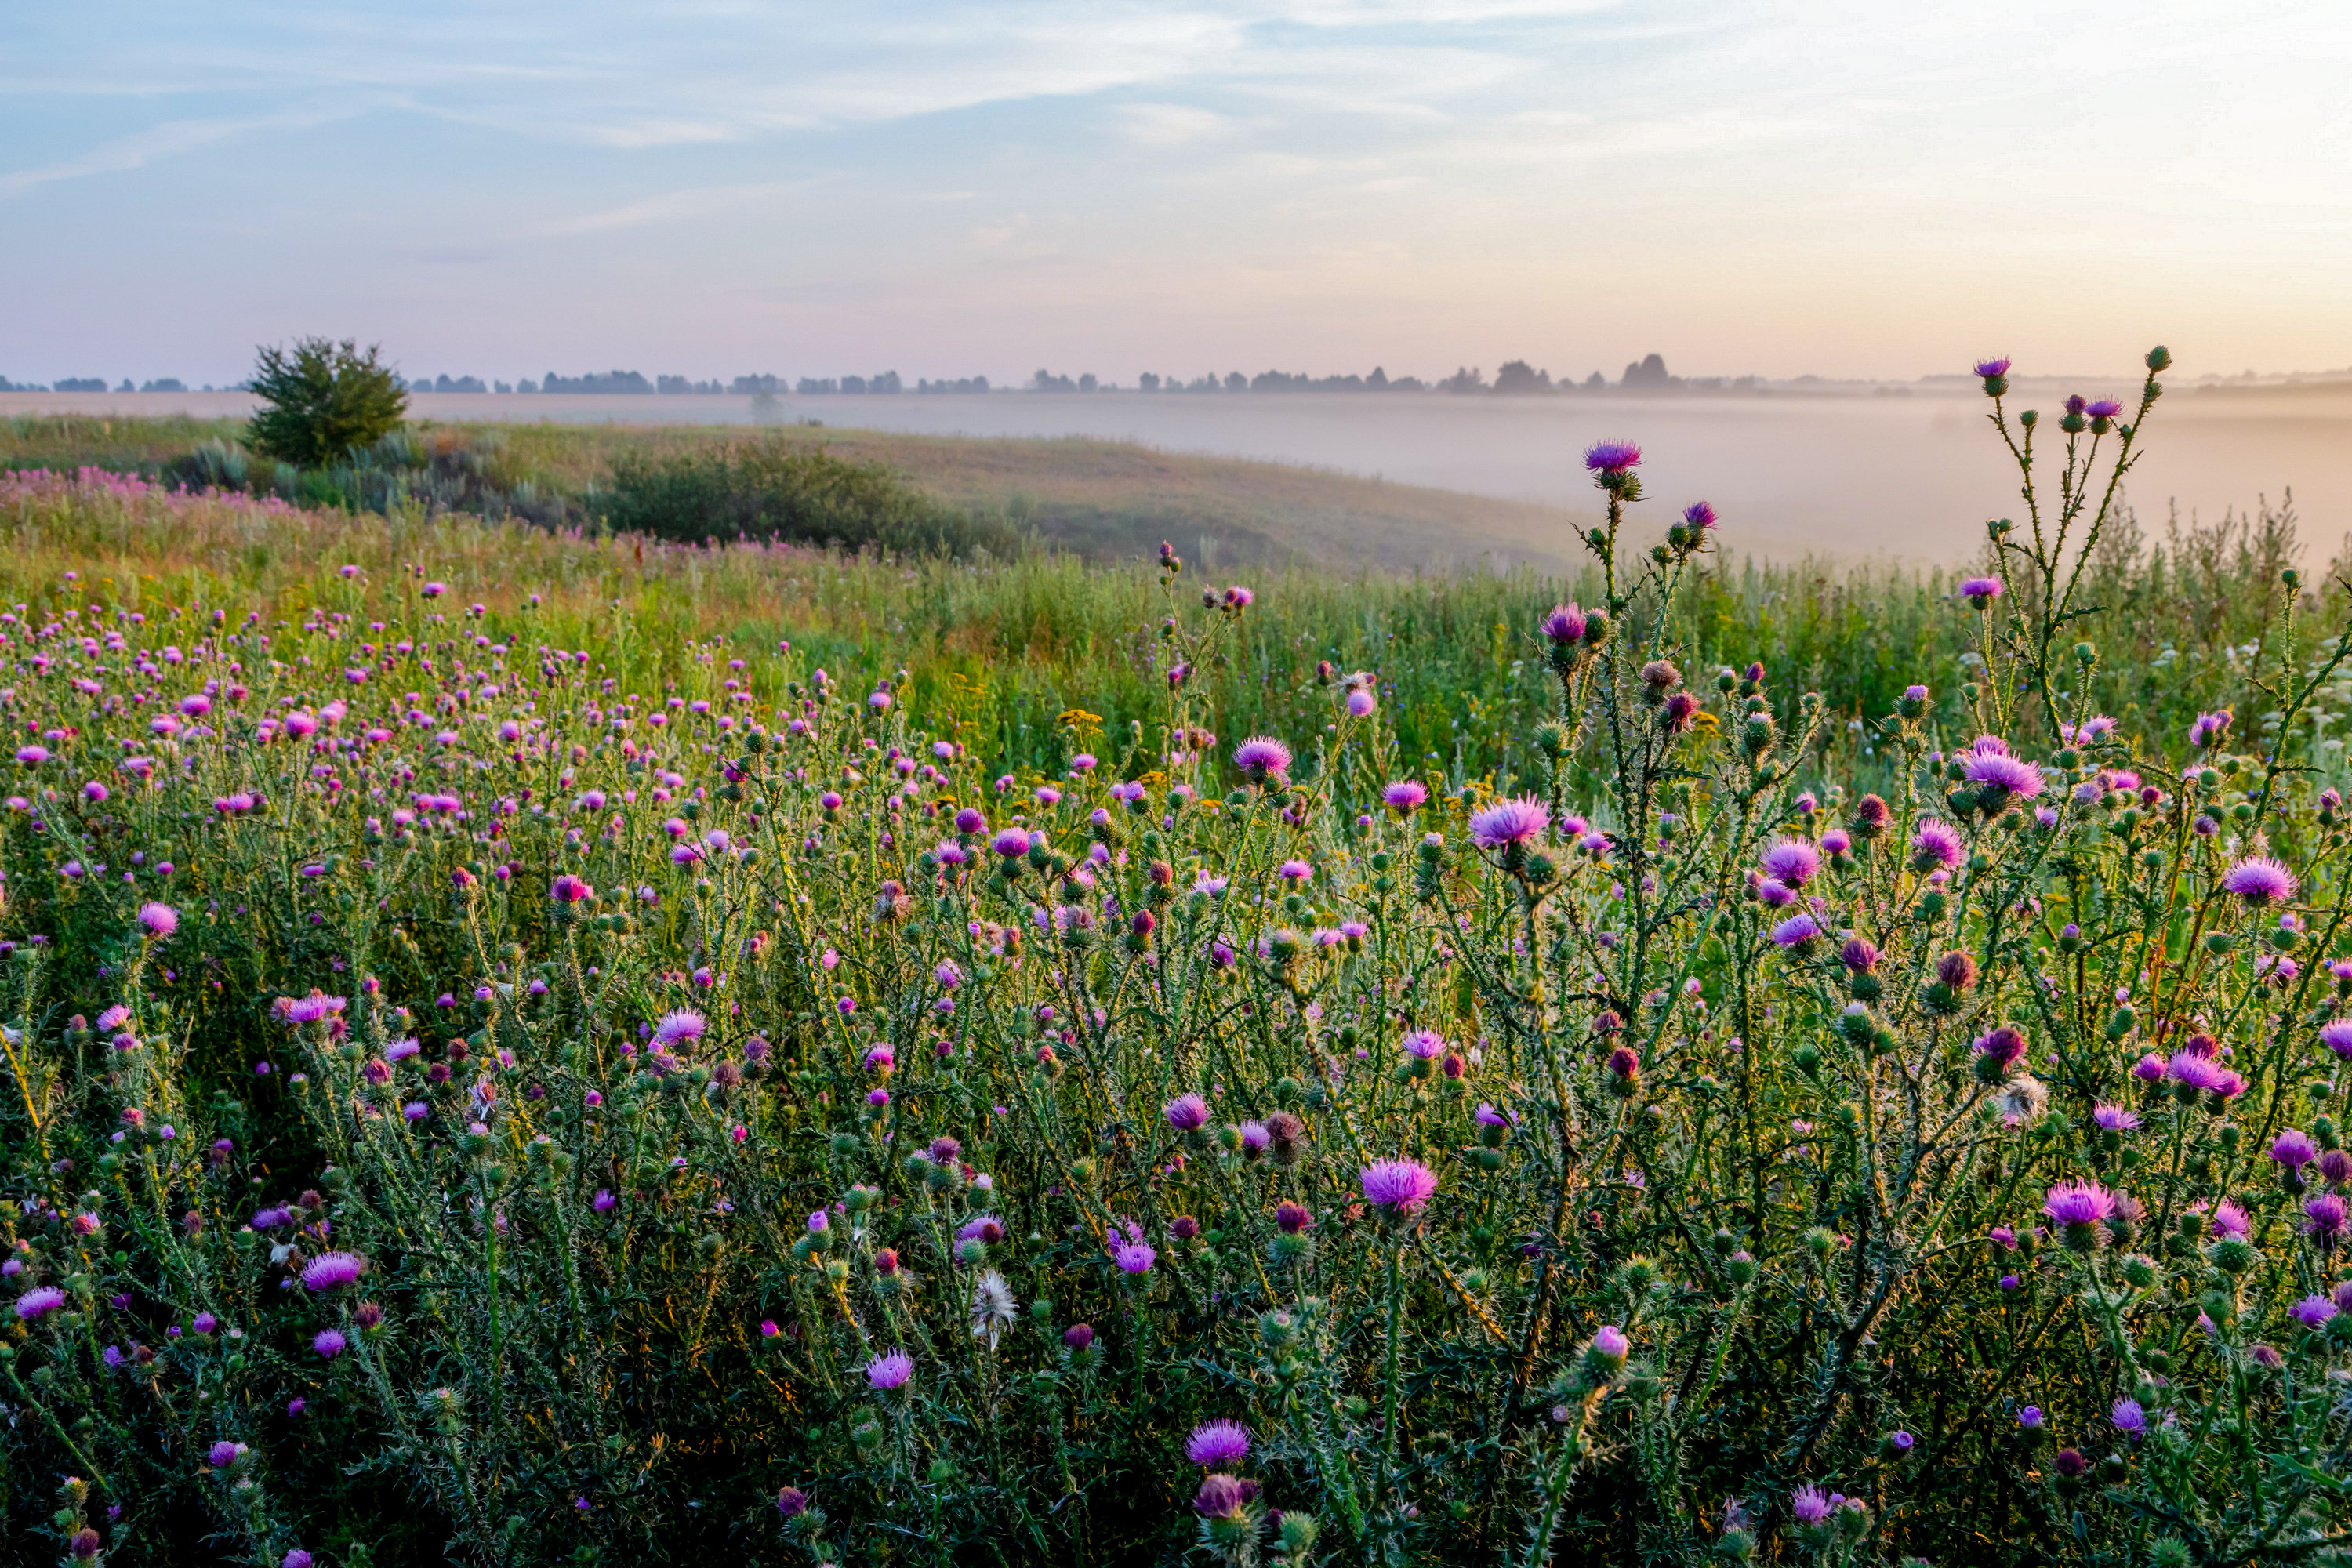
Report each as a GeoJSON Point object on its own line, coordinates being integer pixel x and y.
{"type": "Point", "coordinates": [775, 490]}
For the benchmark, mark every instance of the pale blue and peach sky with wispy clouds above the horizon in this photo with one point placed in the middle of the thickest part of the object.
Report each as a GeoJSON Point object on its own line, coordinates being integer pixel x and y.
{"type": "Point", "coordinates": [947, 189]}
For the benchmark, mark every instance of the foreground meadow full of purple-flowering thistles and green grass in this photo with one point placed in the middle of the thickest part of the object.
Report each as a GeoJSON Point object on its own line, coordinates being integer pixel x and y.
{"type": "Point", "coordinates": [535, 1045]}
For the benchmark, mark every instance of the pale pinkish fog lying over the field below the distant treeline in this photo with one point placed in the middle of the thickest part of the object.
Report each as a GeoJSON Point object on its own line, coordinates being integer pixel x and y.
{"type": "Point", "coordinates": [1904, 476]}
